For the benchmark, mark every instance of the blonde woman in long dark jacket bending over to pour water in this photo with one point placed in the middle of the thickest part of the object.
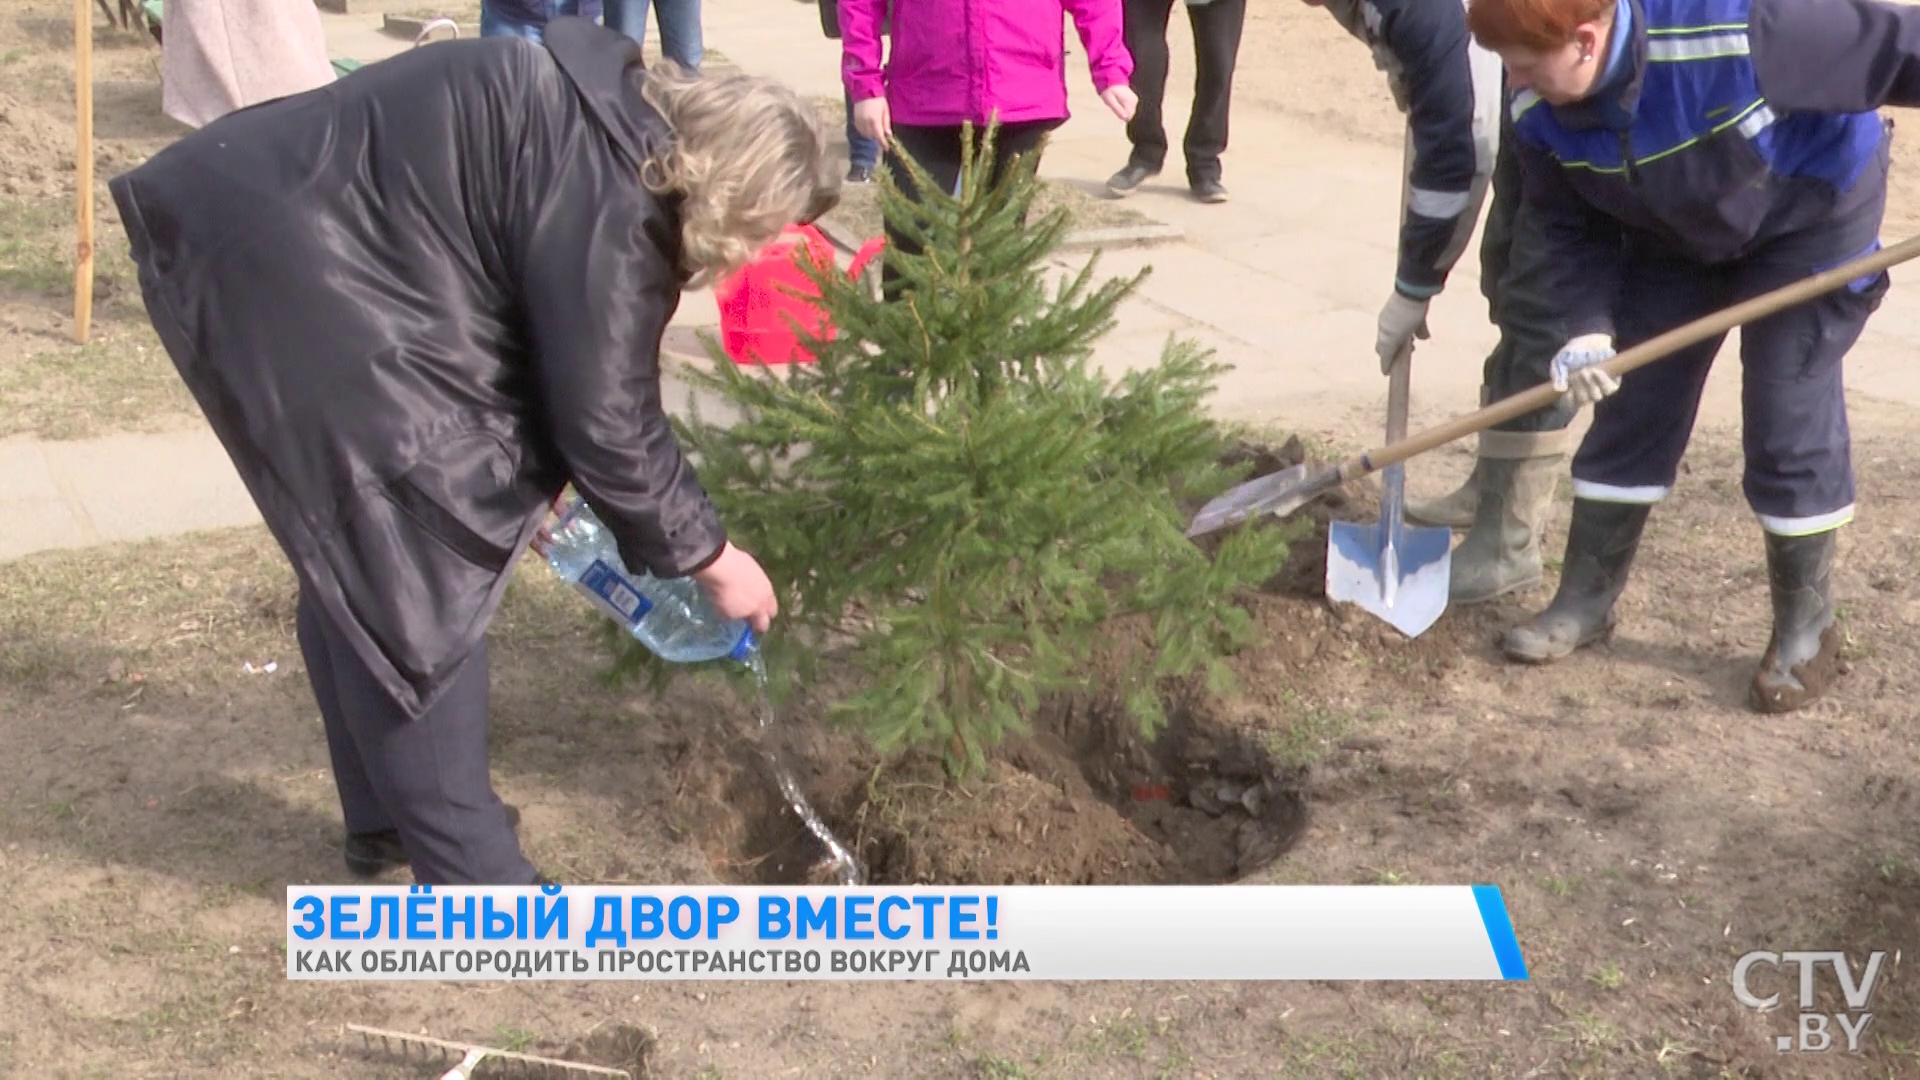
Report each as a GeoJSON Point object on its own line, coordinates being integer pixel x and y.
{"type": "Point", "coordinates": [420, 303]}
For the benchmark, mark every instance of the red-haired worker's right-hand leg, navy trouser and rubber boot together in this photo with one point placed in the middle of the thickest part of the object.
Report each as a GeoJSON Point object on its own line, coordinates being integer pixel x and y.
{"type": "Point", "coordinates": [1798, 447]}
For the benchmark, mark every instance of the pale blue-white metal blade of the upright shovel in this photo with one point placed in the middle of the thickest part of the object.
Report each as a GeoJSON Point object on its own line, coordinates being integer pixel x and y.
{"type": "Point", "coordinates": [1395, 572]}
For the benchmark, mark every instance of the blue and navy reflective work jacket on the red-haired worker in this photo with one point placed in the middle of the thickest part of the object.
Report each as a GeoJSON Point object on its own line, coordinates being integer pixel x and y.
{"type": "Point", "coordinates": [1721, 126]}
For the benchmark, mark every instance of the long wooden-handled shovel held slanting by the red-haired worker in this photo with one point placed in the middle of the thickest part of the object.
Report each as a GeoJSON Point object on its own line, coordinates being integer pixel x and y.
{"type": "Point", "coordinates": [1291, 489]}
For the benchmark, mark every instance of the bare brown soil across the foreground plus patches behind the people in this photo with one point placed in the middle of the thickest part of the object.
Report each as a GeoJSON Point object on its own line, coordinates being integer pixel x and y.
{"type": "Point", "coordinates": [166, 775]}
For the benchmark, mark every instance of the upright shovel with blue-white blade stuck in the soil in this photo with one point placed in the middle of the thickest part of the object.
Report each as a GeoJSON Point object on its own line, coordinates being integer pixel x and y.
{"type": "Point", "coordinates": [1393, 570]}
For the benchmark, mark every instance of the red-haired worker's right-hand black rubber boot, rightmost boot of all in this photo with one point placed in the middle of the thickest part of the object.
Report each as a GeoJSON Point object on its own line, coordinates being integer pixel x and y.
{"type": "Point", "coordinates": [1804, 656]}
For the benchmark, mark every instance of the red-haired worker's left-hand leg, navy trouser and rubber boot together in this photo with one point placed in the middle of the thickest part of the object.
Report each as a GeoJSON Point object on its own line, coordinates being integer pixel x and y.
{"type": "Point", "coordinates": [1629, 458]}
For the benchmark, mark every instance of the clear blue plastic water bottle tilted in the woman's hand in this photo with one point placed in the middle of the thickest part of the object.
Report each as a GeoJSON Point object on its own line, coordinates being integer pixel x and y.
{"type": "Point", "coordinates": [669, 616]}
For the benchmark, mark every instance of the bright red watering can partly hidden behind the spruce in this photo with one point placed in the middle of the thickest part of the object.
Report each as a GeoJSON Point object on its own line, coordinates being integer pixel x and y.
{"type": "Point", "coordinates": [759, 301]}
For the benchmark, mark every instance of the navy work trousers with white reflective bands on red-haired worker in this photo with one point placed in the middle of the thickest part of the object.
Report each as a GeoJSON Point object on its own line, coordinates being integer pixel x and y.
{"type": "Point", "coordinates": [1794, 408]}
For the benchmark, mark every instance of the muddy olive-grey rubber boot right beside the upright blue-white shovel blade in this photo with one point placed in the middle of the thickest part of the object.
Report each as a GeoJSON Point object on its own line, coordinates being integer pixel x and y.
{"type": "Point", "coordinates": [1500, 554]}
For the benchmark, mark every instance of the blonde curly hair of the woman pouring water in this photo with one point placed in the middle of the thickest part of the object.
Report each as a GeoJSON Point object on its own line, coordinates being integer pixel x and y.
{"type": "Point", "coordinates": [750, 157]}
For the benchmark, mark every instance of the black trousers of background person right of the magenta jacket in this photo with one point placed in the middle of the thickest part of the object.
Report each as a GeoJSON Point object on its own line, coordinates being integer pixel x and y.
{"type": "Point", "coordinates": [1216, 49]}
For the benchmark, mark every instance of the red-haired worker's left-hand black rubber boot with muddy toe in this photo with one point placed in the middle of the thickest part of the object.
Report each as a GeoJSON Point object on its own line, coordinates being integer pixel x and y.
{"type": "Point", "coordinates": [1600, 551]}
